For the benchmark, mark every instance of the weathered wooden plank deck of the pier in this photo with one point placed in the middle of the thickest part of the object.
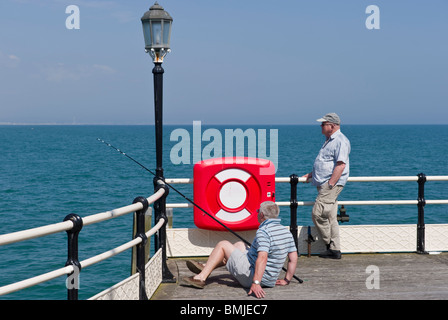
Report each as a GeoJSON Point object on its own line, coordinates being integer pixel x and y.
{"type": "Point", "coordinates": [401, 276]}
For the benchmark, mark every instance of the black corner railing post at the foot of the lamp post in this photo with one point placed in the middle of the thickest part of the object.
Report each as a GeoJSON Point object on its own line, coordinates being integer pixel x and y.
{"type": "Point", "coordinates": [160, 212]}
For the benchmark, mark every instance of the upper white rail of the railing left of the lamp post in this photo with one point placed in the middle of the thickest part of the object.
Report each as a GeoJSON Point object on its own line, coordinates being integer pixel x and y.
{"type": "Point", "coordinates": [67, 225]}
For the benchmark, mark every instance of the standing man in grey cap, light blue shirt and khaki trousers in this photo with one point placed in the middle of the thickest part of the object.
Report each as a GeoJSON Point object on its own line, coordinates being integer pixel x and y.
{"type": "Point", "coordinates": [329, 175]}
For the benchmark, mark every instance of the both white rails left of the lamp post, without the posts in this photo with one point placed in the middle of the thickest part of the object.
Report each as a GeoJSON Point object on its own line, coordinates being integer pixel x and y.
{"type": "Point", "coordinates": [68, 225]}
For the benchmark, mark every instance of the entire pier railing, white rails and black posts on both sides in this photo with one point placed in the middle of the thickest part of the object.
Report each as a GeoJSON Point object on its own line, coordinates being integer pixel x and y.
{"type": "Point", "coordinates": [73, 224]}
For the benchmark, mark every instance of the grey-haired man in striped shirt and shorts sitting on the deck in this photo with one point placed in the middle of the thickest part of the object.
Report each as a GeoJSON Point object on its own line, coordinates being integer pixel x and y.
{"type": "Point", "coordinates": [255, 267]}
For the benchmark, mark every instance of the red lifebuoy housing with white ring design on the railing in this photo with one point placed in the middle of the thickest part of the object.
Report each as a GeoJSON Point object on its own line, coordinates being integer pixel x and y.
{"type": "Point", "coordinates": [231, 189]}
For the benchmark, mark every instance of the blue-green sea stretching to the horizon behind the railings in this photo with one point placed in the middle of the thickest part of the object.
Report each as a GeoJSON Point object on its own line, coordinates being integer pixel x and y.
{"type": "Point", "coordinates": [50, 171]}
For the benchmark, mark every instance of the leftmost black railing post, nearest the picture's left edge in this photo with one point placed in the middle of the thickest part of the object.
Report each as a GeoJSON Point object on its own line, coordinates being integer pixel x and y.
{"type": "Point", "coordinates": [72, 282]}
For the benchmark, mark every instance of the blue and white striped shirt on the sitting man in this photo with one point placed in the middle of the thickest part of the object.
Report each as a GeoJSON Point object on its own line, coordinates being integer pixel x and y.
{"type": "Point", "coordinates": [277, 241]}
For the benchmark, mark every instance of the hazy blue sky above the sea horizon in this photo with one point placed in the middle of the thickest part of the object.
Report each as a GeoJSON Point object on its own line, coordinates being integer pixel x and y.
{"type": "Point", "coordinates": [253, 62]}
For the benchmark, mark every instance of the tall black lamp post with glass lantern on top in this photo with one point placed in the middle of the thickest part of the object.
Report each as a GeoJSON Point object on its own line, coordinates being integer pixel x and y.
{"type": "Point", "coordinates": [157, 32]}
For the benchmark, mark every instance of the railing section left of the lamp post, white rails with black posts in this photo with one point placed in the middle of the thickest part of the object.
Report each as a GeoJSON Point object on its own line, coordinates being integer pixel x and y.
{"type": "Point", "coordinates": [73, 224]}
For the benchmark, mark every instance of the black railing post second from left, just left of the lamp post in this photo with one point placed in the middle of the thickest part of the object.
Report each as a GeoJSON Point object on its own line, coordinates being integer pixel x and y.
{"type": "Point", "coordinates": [140, 221]}
